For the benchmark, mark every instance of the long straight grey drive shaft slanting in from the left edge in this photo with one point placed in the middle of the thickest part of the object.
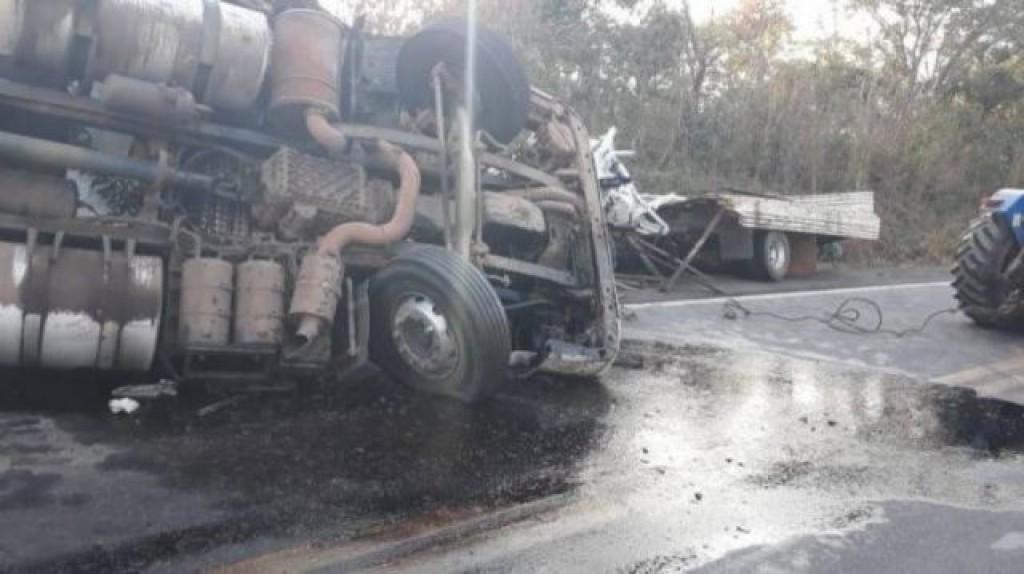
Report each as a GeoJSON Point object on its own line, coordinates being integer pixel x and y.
{"type": "Point", "coordinates": [47, 154]}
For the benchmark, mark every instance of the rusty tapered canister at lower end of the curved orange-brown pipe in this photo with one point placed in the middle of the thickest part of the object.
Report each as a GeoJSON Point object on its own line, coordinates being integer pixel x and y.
{"type": "Point", "coordinates": [315, 302]}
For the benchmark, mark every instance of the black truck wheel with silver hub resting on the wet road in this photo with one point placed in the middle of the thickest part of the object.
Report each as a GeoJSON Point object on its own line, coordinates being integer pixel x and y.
{"type": "Point", "coordinates": [438, 326]}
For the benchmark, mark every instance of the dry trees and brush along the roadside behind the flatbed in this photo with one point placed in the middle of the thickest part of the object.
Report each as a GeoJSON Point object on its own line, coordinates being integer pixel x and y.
{"type": "Point", "coordinates": [920, 101]}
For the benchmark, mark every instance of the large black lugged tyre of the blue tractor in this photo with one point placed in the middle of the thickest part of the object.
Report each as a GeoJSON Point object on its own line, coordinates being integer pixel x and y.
{"type": "Point", "coordinates": [983, 290]}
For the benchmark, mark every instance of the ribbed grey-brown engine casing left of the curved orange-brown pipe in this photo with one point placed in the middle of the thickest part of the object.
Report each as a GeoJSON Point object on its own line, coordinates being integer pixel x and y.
{"type": "Point", "coordinates": [338, 192]}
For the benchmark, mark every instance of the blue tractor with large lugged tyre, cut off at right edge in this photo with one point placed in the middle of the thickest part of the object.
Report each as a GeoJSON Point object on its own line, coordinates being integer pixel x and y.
{"type": "Point", "coordinates": [990, 271]}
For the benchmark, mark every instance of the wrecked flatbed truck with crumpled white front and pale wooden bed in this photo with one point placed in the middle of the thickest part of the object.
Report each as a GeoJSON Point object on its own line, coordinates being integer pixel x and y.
{"type": "Point", "coordinates": [770, 236]}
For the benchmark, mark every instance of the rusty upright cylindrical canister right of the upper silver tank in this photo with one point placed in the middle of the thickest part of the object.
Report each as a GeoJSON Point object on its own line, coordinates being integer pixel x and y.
{"type": "Point", "coordinates": [306, 67]}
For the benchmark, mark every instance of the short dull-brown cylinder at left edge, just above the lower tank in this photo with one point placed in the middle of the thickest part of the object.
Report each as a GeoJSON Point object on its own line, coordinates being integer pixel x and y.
{"type": "Point", "coordinates": [33, 195]}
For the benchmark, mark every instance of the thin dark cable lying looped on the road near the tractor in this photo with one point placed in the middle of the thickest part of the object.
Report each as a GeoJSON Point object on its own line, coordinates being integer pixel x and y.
{"type": "Point", "coordinates": [857, 316]}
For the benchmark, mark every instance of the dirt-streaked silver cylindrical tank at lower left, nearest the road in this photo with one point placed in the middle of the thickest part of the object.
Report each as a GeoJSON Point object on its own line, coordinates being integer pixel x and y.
{"type": "Point", "coordinates": [69, 308]}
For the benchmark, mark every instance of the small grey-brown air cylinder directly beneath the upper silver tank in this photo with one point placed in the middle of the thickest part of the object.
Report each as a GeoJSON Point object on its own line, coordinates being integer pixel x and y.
{"type": "Point", "coordinates": [172, 106]}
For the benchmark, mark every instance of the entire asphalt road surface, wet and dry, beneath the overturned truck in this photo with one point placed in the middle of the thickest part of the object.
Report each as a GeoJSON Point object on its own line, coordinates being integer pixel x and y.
{"type": "Point", "coordinates": [744, 445]}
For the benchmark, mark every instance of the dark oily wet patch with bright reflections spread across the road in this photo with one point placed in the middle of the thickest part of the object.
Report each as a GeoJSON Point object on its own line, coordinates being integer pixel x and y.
{"type": "Point", "coordinates": [700, 454]}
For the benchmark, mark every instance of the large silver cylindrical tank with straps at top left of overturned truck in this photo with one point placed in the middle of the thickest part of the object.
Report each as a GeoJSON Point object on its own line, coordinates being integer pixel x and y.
{"type": "Point", "coordinates": [219, 51]}
